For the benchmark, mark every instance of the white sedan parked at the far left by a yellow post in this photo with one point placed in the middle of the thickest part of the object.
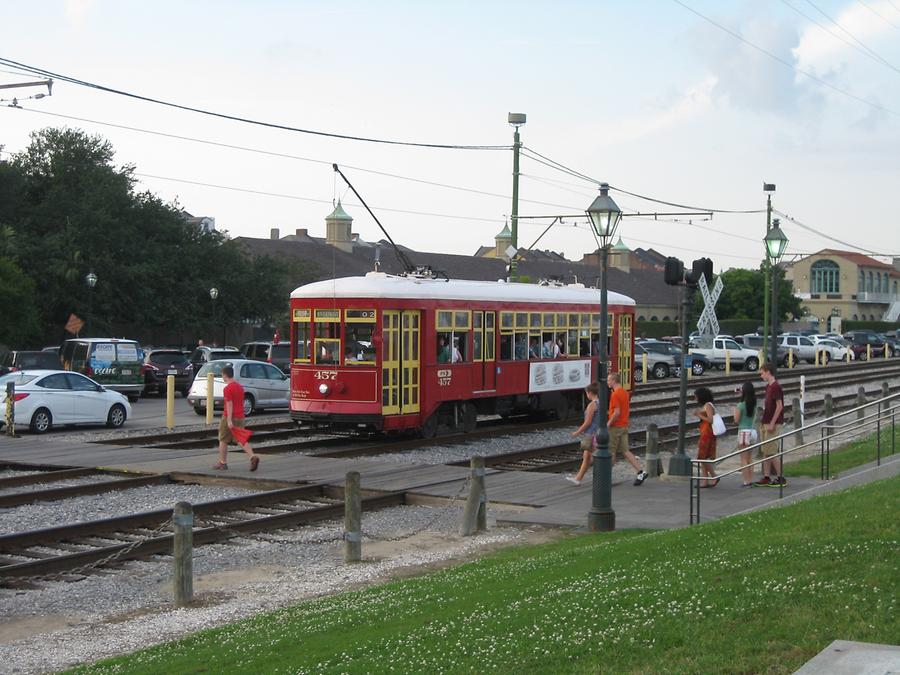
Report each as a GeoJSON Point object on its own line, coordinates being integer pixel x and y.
{"type": "Point", "coordinates": [47, 397]}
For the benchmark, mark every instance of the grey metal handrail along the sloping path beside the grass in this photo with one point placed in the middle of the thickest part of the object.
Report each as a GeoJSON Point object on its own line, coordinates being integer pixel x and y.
{"type": "Point", "coordinates": [828, 430]}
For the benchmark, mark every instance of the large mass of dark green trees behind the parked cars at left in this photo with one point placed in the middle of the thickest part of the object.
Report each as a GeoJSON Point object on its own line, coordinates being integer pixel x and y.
{"type": "Point", "coordinates": [65, 210]}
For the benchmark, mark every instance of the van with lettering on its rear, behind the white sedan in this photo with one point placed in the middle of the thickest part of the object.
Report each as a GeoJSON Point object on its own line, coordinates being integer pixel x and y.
{"type": "Point", "coordinates": [113, 362]}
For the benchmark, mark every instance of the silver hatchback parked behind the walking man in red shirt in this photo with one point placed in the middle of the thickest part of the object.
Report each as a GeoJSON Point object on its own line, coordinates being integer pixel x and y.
{"type": "Point", "coordinates": [265, 386]}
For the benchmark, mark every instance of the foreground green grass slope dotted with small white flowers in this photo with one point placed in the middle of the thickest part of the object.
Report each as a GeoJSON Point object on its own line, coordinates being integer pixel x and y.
{"type": "Point", "coordinates": [762, 592]}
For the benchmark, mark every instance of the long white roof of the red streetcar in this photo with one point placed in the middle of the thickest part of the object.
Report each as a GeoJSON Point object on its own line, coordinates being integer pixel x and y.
{"type": "Point", "coordinates": [382, 285]}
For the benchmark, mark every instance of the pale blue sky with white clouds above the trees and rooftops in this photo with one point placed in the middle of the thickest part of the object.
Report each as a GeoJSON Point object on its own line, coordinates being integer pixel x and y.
{"type": "Point", "coordinates": [694, 102]}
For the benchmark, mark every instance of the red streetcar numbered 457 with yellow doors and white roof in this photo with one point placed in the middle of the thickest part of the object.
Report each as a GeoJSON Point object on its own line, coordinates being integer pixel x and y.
{"type": "Point", "coordinates": [388, 353]}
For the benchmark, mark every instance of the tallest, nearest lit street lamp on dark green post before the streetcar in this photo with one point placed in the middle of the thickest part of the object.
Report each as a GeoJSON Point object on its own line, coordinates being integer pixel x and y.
{"type": "Point", "coordinates": [605, 215]}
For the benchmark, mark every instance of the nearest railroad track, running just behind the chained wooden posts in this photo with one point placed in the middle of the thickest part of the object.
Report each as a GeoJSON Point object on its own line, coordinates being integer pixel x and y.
{"type": "Point", "coordinates": [70, 550]}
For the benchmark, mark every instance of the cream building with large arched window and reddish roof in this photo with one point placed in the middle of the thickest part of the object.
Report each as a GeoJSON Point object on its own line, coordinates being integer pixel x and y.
{"type": "Point", "coordinates": [824, 284]}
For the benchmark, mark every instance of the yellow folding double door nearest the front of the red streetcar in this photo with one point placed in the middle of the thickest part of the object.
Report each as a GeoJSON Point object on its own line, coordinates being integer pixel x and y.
{"type": "Point", "coordinates": [401, 348]}
